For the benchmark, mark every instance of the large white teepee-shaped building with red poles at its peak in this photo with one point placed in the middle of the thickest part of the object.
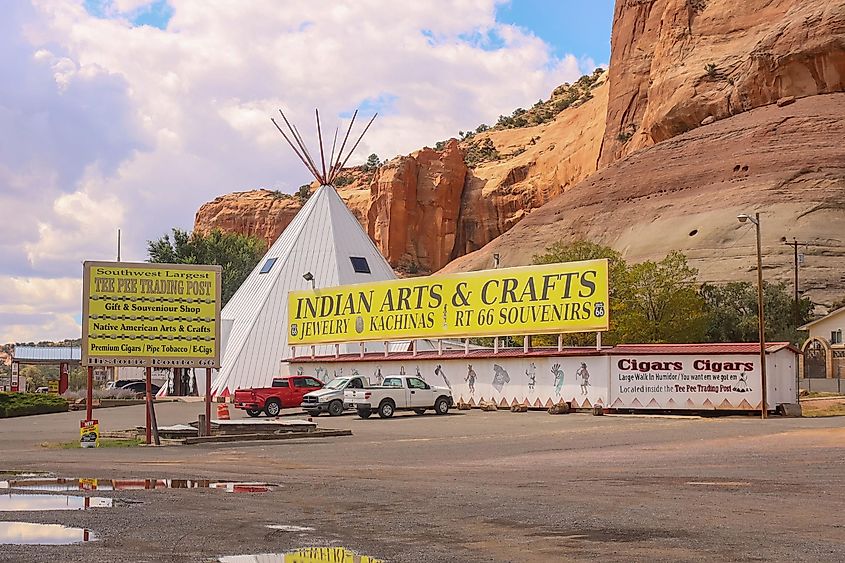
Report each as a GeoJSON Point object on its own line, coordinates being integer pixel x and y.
{"type": "Point", "coordinates": [324, 240]}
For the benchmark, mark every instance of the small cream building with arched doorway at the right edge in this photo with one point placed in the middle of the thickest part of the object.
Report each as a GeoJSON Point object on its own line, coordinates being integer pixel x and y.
{"type": "Point", "coordinates": [823, 354]}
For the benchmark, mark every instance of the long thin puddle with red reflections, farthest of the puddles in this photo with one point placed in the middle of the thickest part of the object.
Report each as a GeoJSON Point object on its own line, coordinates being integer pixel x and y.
{"type": "Point", "coordinates": [132, 484]}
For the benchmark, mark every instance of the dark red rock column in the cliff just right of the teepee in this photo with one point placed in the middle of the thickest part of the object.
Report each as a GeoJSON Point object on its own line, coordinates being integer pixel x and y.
{"type": "Point", "coordinates": [415, 203]}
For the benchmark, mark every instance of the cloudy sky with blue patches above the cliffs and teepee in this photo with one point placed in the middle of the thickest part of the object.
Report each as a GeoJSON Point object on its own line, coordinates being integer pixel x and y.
{"type": "Point", "coordinates": [132, 113]}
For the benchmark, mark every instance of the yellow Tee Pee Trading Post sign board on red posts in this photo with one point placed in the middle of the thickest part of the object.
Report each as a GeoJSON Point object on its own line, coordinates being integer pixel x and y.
{"type": "Point", "coordinates": [151, 315]}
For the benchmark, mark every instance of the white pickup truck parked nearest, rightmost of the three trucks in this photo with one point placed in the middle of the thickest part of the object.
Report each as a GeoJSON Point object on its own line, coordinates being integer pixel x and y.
{"type": "Point", "coordinates": [399, 392]}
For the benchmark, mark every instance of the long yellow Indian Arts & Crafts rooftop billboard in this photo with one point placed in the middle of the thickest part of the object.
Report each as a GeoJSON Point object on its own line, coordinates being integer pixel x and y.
{"type": "Point", "coordinates": [548, 299]}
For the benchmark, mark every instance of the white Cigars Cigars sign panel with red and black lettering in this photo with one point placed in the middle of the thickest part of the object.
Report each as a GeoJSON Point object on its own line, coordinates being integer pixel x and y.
{"type": "Point", "coordinates": [718, 381]}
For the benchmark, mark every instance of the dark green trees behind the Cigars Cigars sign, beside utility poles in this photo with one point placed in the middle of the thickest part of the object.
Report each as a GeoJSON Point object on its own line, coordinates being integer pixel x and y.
{"type": "Point", "coordinates": [732, 312]}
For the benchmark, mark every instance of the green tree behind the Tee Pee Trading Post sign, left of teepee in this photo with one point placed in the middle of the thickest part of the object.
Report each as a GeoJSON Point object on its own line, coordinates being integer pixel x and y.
{"type": "Point", "coordinates": [237, 254]}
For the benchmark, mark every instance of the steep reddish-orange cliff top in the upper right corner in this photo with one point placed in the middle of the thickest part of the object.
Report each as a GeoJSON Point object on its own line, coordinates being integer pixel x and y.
{"type": "Point", "coordinates": [675, 62]}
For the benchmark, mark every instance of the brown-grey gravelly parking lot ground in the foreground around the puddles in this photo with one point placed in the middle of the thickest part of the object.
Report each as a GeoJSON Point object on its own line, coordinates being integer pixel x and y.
{"type": "Point", "coordinates": [470, 486]}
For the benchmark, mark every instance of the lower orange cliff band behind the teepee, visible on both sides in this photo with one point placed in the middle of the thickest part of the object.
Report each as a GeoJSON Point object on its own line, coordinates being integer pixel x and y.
{"type": "Point", "coordinates": [425, 209]}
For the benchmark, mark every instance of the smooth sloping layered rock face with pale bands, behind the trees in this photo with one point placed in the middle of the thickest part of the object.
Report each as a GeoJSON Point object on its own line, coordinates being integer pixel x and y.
{"type": "Point", "coordinates": [684, 194]}
